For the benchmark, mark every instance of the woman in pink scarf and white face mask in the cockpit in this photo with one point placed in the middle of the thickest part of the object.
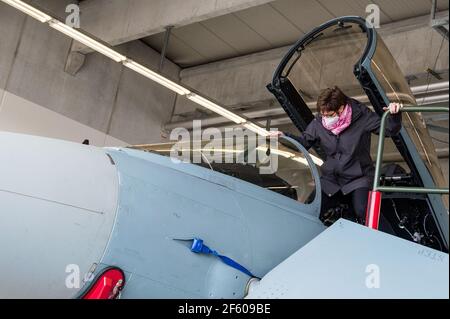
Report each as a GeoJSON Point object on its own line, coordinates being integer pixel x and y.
{"type": "Point", "coordinates": [343, 129]}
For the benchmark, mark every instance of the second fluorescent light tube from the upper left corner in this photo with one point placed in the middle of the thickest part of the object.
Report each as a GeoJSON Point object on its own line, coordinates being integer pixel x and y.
{"type": "Point", "coordinates": [86, 40]}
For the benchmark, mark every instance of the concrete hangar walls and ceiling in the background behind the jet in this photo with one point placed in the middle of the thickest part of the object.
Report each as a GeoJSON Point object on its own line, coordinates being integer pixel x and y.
{"type": "Point", "coordinates": [226, 50]}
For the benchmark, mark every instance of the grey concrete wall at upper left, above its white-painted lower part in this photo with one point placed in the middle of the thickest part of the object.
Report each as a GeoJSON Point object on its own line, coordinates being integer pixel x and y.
{"type": "Point", "coordinates": [103, 95]}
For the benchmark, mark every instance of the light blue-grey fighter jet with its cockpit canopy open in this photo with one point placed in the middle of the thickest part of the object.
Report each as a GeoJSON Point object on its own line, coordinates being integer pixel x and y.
{"type": "Point", "coordinates": [79, 221]}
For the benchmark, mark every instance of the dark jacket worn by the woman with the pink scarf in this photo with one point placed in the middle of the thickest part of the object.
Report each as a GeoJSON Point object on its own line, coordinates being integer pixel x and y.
{"type": "Point", "coordinates": [348, 164]}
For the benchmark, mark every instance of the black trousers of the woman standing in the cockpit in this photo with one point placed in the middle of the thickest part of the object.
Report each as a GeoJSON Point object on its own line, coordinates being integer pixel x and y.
{"type": "Point", "coordinates": [357, 199]}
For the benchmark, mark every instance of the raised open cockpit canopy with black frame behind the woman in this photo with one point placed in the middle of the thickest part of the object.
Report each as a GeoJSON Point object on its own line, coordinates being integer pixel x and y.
{"type": "Point", "coordinates": [348, 53]}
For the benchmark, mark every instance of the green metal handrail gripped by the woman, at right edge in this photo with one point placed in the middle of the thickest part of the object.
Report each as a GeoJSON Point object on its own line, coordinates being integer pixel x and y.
{"type": "Point", "coordinates": [380, 151]}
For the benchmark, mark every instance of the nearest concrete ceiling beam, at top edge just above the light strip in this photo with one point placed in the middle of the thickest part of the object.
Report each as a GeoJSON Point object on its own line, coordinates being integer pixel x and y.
{"type": "Point", "coordinates": [121, 21]}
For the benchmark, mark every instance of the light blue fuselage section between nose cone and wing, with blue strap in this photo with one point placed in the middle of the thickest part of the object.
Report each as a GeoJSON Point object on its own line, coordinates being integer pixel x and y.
{"type": "Point", "coordinates": [163, 204]}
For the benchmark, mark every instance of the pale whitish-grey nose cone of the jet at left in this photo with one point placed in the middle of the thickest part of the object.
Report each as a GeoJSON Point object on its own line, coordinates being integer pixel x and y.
{"type": "Point", "coordinates": [58, 202]}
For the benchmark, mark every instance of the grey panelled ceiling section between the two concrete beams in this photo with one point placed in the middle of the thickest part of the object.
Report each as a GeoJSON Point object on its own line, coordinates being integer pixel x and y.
{"type": "Point", "coordinates": [272, 25]}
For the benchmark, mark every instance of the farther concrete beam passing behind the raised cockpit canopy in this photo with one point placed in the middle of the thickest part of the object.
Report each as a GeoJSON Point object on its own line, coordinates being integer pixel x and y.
{"type": "Point", "coordinates": [242, 81]}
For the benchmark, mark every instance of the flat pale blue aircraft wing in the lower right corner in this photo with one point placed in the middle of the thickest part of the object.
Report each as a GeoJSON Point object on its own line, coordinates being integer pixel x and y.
{"type": "Point", "coordinates": [352, 261]}
